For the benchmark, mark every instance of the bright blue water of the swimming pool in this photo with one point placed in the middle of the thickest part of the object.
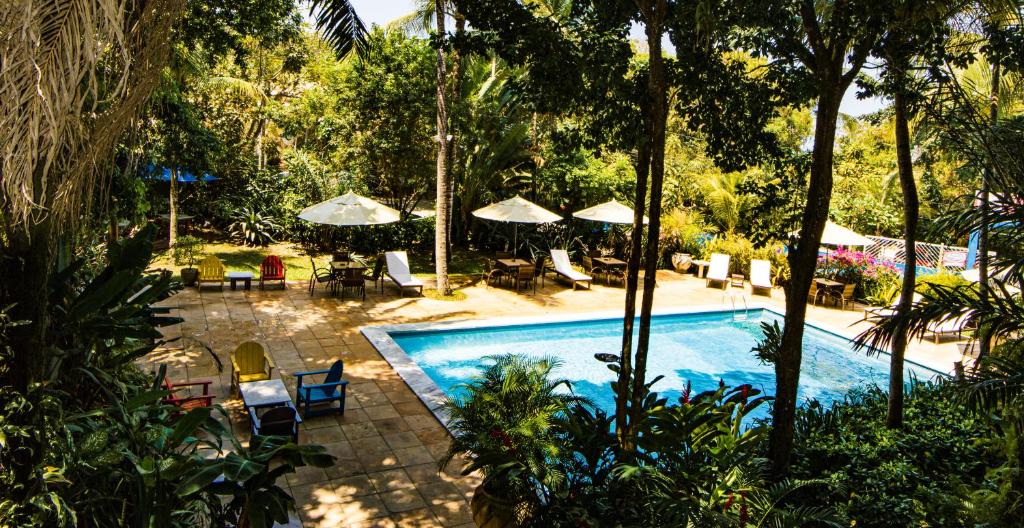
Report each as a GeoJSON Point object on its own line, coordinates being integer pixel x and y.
{"type": "Point", "coordinates": [698, 348]}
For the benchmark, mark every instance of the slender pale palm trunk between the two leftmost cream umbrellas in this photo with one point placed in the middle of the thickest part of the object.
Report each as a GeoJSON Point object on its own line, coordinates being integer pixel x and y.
{"type": "Point", "coordinates": [444, 192]}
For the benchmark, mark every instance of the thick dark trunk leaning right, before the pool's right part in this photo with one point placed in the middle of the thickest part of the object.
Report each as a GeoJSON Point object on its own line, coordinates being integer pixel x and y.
{"type": "Point", "coordinates": [803, 260]}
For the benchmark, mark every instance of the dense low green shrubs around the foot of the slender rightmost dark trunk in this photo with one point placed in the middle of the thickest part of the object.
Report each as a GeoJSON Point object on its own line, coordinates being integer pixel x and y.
{"type": "Point", "coordinates": [919, 476]}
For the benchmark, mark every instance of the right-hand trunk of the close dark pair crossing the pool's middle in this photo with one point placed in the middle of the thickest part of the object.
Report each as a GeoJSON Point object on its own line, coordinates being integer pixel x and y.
{"type": "Point", "coordinates": [658, 107]}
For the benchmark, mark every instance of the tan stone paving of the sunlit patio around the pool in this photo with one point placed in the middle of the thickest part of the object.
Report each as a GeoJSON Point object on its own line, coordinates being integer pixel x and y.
{"type": "Point", "coordinates": [389, 444]}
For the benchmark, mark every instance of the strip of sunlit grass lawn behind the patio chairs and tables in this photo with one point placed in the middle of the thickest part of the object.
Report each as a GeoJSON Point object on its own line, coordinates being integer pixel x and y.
{"type": "Point", "coordinates": [465, 265]}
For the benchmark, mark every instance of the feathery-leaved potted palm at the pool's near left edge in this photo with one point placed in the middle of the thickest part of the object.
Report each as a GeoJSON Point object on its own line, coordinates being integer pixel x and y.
{"type": "Point", "coordinates": [505, 426]}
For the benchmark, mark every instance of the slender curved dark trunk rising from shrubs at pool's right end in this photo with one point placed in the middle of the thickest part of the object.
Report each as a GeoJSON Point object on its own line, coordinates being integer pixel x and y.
{"type": "Point", "coordinates": [894, 417]}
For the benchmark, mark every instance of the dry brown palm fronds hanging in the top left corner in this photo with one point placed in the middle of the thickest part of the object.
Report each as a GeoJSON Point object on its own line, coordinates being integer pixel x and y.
{"type": "Point", "coordinates": [74, 75]}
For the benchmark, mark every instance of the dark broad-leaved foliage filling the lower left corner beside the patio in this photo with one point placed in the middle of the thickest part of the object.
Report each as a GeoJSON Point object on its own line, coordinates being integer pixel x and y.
{"type": "Point", "coordinates": [93, 445]}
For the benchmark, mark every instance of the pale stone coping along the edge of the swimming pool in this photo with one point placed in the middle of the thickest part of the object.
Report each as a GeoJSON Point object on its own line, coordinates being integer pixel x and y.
{"type": "Point", "coordinates": [434, 398]}
